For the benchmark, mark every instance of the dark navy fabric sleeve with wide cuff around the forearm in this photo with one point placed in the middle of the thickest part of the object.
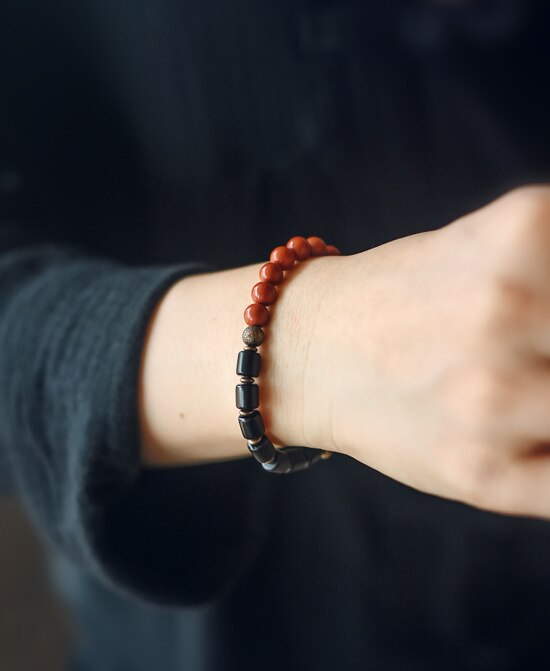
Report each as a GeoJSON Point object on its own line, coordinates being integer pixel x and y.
{"type": "Point", "coordinates": [71, 334]}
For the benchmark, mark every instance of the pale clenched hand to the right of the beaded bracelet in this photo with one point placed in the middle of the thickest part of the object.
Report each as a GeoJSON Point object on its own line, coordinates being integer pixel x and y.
{"type": "Point", "coordinates": [428, 358]}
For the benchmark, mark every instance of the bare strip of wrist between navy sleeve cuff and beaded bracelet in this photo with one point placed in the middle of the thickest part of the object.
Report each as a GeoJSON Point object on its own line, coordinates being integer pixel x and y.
{"type": "Point", "coordinates": [188, 368]}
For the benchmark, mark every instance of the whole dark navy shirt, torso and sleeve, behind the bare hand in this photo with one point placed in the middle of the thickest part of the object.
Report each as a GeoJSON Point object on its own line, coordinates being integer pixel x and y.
{"type": "Point", "coordinates": [143, 141]}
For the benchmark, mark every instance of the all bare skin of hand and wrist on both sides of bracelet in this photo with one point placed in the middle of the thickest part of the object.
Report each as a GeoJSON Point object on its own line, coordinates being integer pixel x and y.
{"type": "Point", "coordinates": [426, 358]}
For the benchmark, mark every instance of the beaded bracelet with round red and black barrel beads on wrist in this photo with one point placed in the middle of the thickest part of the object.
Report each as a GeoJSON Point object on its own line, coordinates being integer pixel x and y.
{"type": "Point", "coordinates": [256, 315]}
